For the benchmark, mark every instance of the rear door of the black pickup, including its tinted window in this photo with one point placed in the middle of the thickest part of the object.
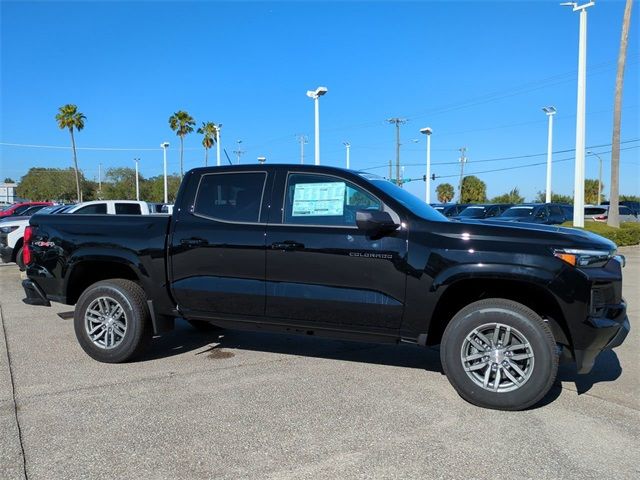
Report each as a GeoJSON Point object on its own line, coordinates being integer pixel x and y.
{"type": "Point", "coordinates": [217, 252]}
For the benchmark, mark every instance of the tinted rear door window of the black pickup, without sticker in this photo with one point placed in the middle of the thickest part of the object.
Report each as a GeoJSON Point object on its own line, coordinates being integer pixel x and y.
{"type": "Point", "coordinates": [233, 197]}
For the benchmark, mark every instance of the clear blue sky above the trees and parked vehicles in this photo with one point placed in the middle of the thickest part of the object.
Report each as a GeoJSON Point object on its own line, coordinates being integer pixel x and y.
{"type": "Point", "coordinates": [477, 73]}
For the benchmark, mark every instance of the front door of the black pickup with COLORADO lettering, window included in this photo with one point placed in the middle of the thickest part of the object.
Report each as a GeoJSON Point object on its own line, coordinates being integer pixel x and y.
{"type": "Point", "coordinates": [322, 271]}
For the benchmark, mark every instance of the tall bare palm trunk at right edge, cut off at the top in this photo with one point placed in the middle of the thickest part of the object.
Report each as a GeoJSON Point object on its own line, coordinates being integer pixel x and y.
{"type": "Point", "coordinates": [614, 219]}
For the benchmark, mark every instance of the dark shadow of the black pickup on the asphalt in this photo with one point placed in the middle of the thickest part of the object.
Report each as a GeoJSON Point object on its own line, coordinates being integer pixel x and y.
{"type": "Point", "coordinates": [216, 345]}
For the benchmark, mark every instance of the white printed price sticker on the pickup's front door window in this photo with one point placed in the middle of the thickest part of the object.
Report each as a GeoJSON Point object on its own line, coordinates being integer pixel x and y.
{"type": "Point", "coordinates": [318, 199]}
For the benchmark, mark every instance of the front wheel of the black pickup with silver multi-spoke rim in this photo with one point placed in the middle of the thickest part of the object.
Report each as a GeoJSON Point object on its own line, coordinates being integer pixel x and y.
{"type": "Point", "coordinates": [541, 368]}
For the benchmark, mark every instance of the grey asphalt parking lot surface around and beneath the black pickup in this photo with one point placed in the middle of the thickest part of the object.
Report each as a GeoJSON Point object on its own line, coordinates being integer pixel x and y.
{"type": "Point", "coordinates": [247, 405]}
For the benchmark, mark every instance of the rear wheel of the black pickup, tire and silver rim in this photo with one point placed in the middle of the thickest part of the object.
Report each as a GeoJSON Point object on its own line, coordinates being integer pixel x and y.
{"type": "Point", "coordinates": [112, 321]}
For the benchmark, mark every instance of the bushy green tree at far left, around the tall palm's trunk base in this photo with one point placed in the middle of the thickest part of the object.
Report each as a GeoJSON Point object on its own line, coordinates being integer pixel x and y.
{"type": "Point", "coordinates": [41, 184]}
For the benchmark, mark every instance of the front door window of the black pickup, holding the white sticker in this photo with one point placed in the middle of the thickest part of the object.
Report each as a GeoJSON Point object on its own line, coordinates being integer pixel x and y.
{"type": "Point", "coordinates": [325, 200]}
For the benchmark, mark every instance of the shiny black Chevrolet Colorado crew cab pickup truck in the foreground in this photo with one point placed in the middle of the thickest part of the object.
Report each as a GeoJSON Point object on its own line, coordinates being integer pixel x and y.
{"type": "Point", "coordinates": [330, 252]}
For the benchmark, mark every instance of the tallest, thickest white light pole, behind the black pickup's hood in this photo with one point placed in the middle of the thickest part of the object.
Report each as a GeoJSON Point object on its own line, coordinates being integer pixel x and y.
{"type": "Point", "coordinates": [578, 193]}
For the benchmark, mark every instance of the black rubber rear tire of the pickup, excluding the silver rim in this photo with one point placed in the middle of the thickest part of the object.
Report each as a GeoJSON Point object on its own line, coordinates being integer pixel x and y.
{"type": "Point", "coordinates": [138, 333]}
